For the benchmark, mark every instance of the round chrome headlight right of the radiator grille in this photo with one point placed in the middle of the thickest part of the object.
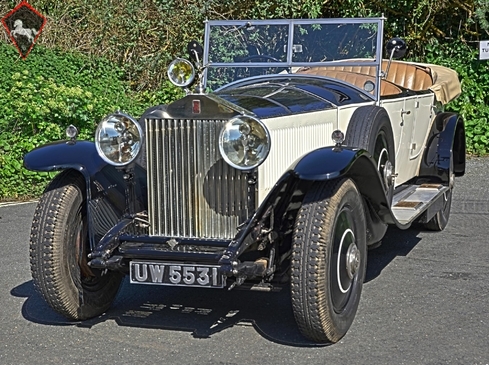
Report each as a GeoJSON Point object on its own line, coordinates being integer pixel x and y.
{"type": "Point", "coordinates": [244, 142]}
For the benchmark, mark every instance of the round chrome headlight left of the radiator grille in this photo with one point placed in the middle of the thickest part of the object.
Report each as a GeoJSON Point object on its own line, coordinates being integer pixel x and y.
{"type": "Point", "coordinates": [118, 139]}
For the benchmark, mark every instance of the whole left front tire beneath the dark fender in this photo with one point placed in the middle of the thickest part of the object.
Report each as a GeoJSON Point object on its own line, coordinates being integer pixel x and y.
{"type": "Point", "coordinates": [58, 253]}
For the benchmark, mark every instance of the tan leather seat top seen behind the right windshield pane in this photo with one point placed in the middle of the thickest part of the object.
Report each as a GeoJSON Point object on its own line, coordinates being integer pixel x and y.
{"type": "Point", "coordinates": [354, 78]}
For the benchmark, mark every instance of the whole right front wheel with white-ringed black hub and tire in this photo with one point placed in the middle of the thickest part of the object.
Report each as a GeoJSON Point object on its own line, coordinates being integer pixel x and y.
{"type": "Point", "coordinates": [325, 290]}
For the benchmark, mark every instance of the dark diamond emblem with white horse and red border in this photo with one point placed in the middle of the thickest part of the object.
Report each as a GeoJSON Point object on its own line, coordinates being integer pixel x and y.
{"type": "Point", "coordinates": [24, 25]}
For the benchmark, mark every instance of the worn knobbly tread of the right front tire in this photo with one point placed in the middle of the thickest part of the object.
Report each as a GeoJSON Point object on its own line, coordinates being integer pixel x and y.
{"type": "Point", "coordinates": [309, 302]}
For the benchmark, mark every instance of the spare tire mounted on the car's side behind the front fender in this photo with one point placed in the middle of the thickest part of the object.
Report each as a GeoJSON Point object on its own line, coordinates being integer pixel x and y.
{"type": "Point", "coordinates": [370, 129]}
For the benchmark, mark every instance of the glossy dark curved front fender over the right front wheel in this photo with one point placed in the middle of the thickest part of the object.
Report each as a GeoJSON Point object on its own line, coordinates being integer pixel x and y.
{"type": "Point", "coordinates": [286, 196]}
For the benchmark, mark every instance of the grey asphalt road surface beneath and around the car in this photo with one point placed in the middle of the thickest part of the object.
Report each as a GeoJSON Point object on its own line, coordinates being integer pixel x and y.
{"type": "Point", "coordinates": [425, 301]}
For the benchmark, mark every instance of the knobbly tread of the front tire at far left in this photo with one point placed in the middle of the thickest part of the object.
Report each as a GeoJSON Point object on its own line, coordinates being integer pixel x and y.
{"type": "Point", "coordinates": [47, 257]}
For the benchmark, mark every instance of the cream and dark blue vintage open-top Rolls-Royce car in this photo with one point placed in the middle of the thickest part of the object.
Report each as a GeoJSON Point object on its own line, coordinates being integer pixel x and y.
{"type": "Point", "coordinates": [298, 142]}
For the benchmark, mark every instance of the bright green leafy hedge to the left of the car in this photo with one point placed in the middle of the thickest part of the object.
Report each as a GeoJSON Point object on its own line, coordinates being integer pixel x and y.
{"type": "Point", "coordinates": [41, 96]}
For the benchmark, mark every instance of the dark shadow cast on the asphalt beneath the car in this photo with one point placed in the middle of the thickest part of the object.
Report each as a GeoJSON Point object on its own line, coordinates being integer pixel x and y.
{"type": "Point", "coordinates": [204, 312]}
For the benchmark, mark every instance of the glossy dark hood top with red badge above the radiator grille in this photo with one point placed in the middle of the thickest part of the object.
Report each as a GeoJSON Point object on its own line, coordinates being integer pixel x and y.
{"type": "Point", "coordinates": [265, 97]}
